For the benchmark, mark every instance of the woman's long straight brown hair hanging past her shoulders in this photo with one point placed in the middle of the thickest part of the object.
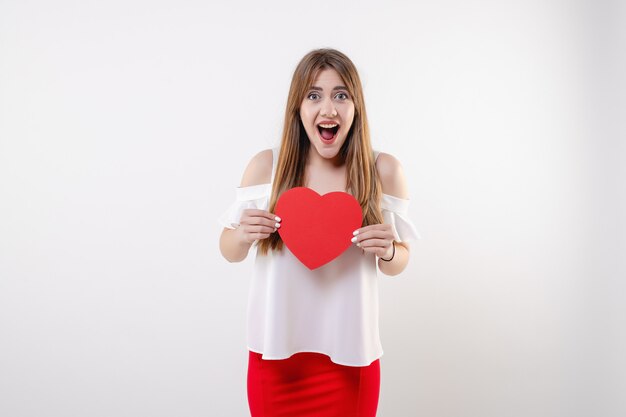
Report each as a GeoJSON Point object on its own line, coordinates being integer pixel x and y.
{"type": "Point", "coordinates": [356, 152]}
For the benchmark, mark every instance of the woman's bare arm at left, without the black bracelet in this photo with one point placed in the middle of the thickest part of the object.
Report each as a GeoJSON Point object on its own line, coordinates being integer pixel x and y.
{"type": "Point", "coordinates": [254, 224]}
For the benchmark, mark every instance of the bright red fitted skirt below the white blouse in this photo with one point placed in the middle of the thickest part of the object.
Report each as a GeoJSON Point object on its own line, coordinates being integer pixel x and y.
{"type": "Point", "coordinates": [311, 385]}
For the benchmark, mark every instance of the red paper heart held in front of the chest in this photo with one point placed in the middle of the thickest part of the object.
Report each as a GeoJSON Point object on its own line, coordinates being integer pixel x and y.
{"type": "Point", "coordinates": [317, 228]}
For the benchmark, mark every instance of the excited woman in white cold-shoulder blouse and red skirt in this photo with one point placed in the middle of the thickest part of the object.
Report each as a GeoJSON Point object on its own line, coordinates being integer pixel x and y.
{"type": "Point", "coordinates": [313, 338]}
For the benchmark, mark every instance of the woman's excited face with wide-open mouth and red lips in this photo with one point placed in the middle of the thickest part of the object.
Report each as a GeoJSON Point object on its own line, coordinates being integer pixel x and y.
{"type": "Point", "coordinates": [327, 111]}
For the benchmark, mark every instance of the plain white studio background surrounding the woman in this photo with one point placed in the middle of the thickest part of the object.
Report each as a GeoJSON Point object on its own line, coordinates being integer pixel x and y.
{"type": "Point", "coordinates": [125, 127]}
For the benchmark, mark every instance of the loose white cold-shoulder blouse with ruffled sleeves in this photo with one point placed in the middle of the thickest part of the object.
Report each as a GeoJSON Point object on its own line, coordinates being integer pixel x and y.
{"type": "Point", "coordinates": [331, 310]}
